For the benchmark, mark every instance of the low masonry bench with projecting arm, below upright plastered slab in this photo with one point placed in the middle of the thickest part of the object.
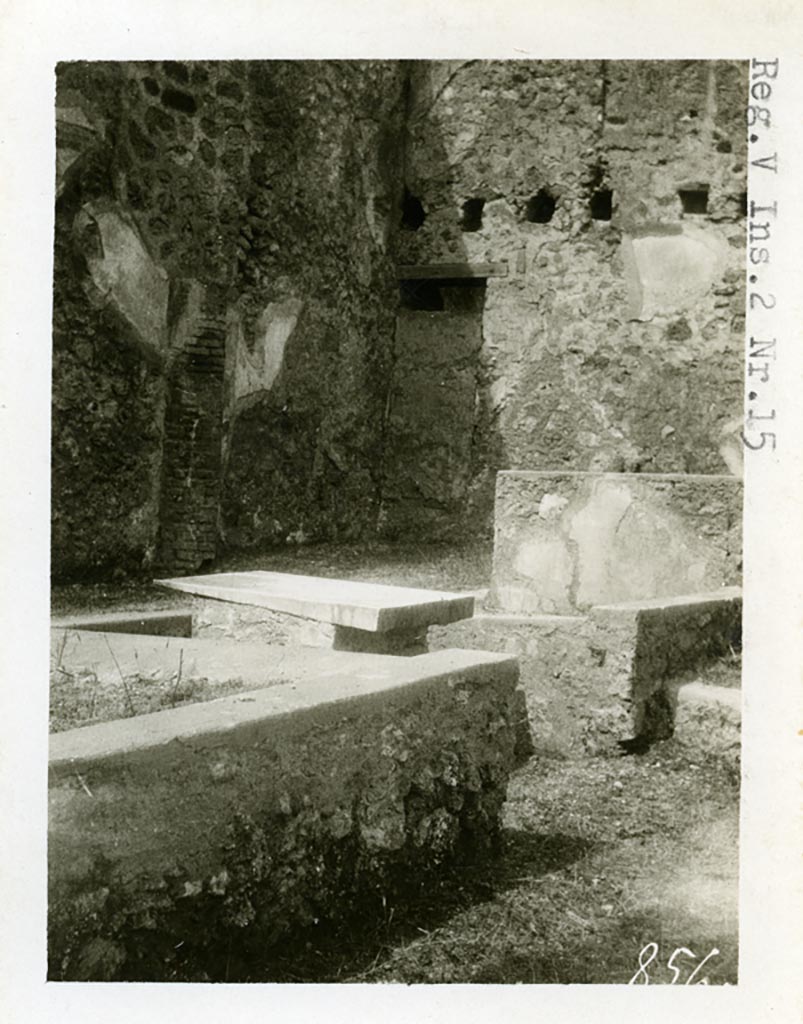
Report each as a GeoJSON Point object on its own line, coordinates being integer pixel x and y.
{"type": "Point", "coordinates": [598, 680]}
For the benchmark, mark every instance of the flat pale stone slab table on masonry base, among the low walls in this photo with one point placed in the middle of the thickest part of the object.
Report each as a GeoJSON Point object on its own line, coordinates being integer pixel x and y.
{"type": "Point", "coordinates": [281, 608]}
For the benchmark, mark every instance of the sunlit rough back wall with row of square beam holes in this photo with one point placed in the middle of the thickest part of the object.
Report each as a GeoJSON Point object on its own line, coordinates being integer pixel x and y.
{"type": "Point", "coordinates": [615, 192]}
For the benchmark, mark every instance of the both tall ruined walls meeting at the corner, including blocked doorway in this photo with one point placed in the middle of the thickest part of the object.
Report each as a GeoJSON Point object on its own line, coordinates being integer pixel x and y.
{"type": "Point", "coordinates": [278, 199]}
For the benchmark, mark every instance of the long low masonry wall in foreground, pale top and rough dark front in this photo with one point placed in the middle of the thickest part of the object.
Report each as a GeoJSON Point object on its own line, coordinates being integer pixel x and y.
{"type": "Point", "coordinates": [189, 860]}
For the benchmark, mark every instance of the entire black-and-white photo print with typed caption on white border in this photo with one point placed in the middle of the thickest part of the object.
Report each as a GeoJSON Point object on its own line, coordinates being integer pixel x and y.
{"type": "Point", "coordinates": [410, 424]}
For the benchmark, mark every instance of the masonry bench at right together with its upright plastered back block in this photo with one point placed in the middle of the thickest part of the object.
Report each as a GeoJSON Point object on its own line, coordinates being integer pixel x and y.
{"type": "Point", "coordinates": [612, 589]}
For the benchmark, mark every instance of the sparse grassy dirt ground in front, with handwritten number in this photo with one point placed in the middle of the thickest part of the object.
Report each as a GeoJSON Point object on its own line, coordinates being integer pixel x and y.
{"type": "Point", "coordinates": [611, 872]}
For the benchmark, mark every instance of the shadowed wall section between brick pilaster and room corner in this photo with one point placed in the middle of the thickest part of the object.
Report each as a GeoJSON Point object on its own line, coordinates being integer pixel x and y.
{"type": "Point", "coordinates": [314, 328]}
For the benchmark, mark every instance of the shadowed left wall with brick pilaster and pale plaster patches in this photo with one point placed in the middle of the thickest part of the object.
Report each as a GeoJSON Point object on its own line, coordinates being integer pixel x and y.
{"type": "Point", "coordinates": [223, 282]}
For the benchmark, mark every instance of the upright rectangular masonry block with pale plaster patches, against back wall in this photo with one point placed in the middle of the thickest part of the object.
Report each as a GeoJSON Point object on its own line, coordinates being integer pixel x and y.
{"type": "Point", "coordinates": [566, 542]}
